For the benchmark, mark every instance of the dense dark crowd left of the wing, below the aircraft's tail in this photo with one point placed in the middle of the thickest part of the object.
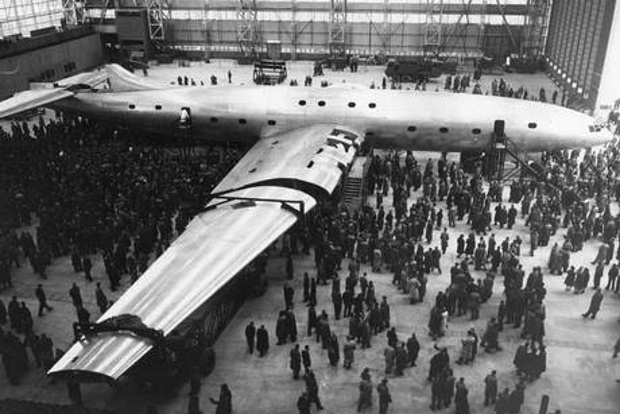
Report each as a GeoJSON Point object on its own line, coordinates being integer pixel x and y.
{"type": "Point", "coordinates": [72, 188]}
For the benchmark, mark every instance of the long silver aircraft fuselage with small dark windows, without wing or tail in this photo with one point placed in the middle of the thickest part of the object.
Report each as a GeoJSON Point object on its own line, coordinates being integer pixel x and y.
{"type": "Point", "coordinates": [430, 121]}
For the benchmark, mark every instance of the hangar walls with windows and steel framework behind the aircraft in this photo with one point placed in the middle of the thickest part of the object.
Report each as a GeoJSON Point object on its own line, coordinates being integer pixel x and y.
{"type": "Point", "coordinates": [573, 48]}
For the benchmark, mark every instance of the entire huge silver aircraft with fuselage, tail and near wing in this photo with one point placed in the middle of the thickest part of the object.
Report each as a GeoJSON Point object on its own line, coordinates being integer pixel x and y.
{"type": "Point", "coordinates": [304, 140]}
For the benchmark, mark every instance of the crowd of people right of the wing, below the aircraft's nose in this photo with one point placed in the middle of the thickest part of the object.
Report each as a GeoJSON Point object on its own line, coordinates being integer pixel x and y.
{"type": "Point", "coordinates": [401, 242]}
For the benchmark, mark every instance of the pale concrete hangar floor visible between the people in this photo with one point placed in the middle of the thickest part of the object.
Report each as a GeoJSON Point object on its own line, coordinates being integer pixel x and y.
{"type": "Point", "coordinates": [580, 376]}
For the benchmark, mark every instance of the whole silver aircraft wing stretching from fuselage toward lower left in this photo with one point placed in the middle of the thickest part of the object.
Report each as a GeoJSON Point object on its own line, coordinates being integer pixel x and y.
{"type": "Point", "coordinates": [284, 174]}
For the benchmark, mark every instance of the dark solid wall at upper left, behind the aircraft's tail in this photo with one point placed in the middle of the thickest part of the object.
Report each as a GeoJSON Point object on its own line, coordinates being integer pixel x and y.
{"type": "Point", "coordinates": [48, 58]}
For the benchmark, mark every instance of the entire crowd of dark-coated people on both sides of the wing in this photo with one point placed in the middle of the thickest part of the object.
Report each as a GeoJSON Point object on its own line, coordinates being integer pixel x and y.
{"type": "Point", "coordinates": [72, 188]}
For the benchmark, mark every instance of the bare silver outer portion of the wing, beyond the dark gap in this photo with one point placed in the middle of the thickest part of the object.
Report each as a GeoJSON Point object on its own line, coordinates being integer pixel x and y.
{"type": "Point", "coordinates": [196, 265]}
